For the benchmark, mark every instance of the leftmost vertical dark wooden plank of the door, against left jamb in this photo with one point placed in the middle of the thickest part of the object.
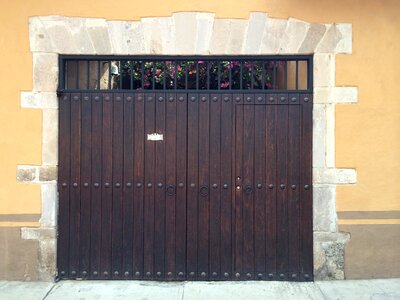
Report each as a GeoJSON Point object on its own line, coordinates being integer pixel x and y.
{"type": "Point", "coordinates": [64, 185]}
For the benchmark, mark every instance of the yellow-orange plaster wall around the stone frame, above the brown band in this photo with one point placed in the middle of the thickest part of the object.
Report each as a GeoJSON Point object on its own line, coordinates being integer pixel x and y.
{"type": "Point", "coordinates": [367, 136]}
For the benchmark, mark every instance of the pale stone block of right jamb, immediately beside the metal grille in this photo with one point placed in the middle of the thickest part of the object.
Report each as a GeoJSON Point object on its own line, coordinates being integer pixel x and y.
{"type": "Point", "coordinates": [324, 70]}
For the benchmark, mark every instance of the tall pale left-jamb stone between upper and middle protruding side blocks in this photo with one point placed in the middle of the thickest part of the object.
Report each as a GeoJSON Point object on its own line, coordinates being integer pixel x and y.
{"type": "Point", "coordinates": [50, 137]}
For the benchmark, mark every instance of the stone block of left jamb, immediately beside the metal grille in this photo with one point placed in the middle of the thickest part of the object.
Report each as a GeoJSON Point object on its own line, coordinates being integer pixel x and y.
{"type": "Point", "coordinates": [45, 72]}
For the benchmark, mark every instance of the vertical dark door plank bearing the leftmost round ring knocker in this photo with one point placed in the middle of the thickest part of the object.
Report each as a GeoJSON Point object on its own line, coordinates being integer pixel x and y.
{"type": "Point", "coordinates": [170, 169]}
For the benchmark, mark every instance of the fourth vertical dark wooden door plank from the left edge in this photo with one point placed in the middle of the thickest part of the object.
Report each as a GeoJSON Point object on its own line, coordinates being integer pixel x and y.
{"type": "Point", "coordinates": [96, 222]}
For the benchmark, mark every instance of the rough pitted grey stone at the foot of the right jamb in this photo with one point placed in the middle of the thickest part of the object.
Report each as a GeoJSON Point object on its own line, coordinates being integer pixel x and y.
{"type": "Point", "coordinates": [329, 255]}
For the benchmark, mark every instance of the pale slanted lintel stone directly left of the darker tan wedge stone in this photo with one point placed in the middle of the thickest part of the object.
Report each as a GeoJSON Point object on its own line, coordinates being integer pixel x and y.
{"type": "Point", "coordinates": [293, 36]}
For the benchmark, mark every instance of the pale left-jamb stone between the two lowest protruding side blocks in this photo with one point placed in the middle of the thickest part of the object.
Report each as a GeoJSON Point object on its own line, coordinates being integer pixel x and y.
{"type": "Point", "coordinates": [49, 205]}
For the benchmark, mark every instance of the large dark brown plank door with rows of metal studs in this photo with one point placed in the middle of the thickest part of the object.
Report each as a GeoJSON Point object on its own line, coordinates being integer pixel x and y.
{"type": "Point", "coordinates": [178, 186]}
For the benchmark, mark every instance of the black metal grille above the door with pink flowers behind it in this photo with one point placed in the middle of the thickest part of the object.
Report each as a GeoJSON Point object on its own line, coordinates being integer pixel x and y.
{"type": "Point", "coordinates": [218, 74]}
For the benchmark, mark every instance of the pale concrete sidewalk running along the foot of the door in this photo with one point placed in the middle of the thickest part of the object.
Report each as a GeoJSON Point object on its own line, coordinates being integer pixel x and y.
{"type": "Point", "coordinates": [377, 289]}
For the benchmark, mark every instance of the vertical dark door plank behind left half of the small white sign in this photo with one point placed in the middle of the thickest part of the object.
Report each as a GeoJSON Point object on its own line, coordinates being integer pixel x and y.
{"type": "Point", "coordinates": [149, 188]}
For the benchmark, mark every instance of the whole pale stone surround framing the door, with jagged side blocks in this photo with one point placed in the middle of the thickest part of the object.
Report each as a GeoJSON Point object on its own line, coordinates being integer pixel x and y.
{"type": "Point", "coordinates": [193, 33]}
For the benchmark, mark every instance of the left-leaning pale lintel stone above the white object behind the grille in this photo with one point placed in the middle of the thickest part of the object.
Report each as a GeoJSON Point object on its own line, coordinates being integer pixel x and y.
{"type": "Point", "coordinates": [98, 33]}
